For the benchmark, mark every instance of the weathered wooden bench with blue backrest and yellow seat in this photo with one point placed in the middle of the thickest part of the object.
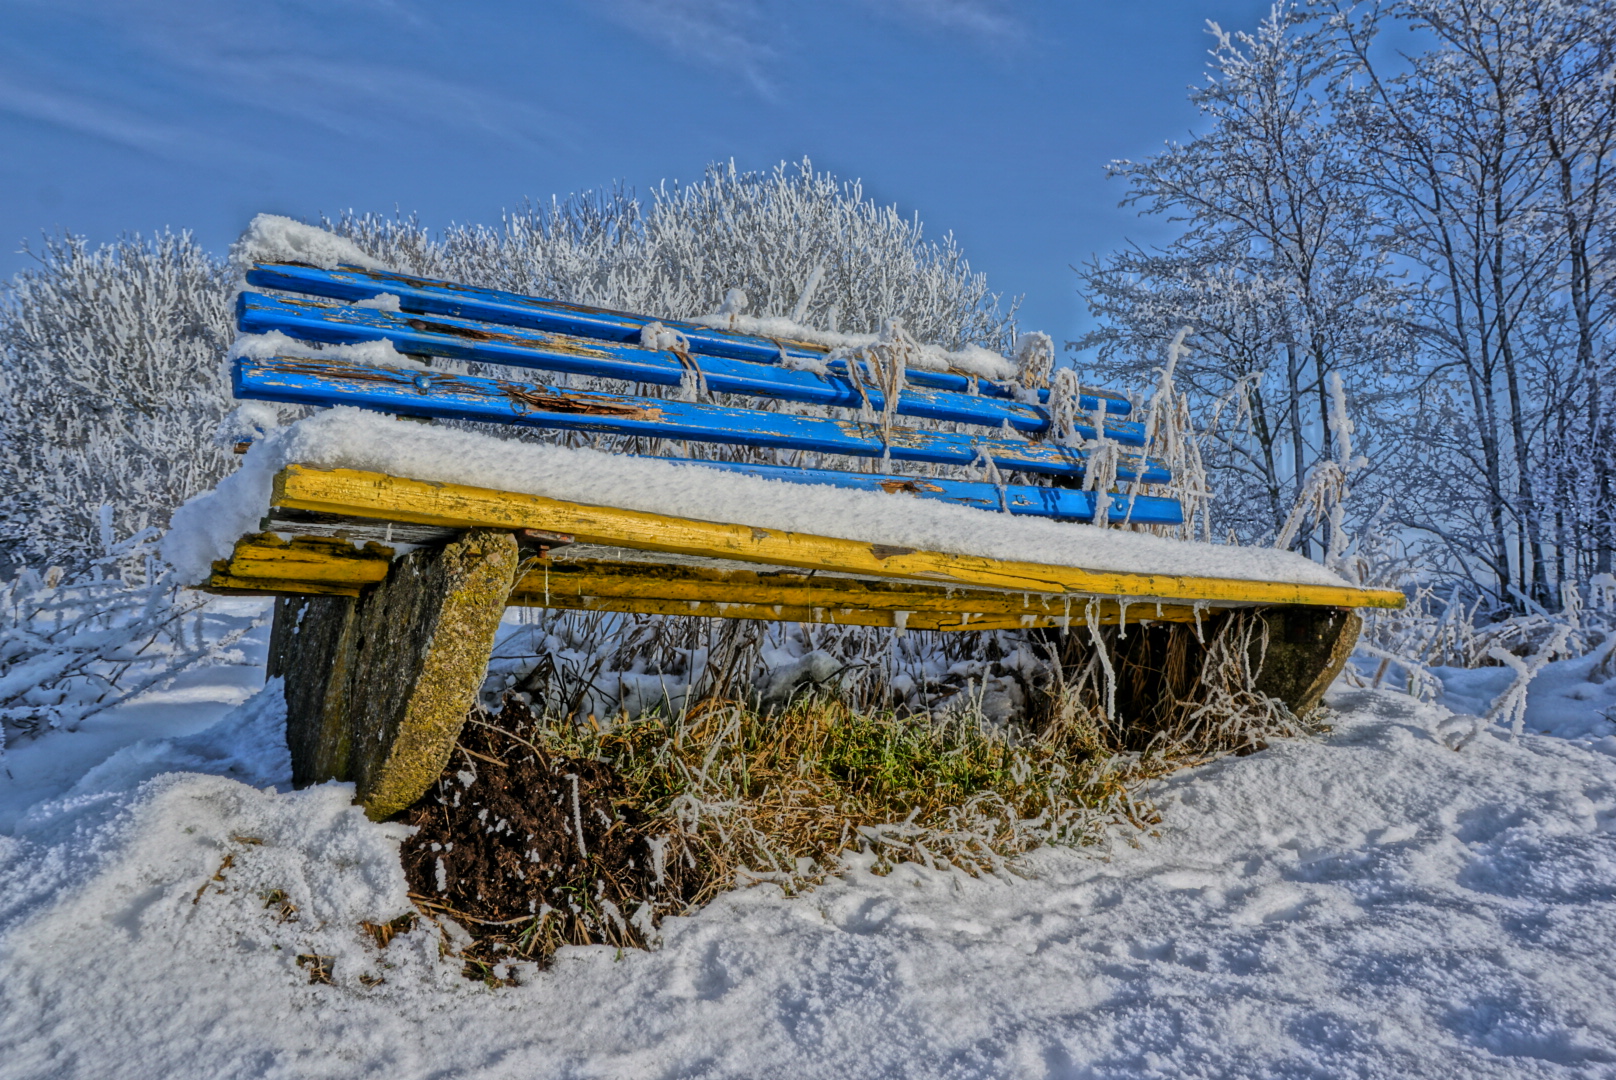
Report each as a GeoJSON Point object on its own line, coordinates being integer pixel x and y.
{"type": "Point", "coordinates": [384, 651]}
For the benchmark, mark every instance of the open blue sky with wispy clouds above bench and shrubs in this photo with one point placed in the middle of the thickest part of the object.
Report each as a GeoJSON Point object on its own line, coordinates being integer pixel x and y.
{"type": "Point", "coordinates": [990, 119]}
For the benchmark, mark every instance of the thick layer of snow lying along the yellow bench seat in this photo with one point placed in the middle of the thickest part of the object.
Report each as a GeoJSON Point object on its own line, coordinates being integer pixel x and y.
{"type": "Point", "coordinates": [208, 526]}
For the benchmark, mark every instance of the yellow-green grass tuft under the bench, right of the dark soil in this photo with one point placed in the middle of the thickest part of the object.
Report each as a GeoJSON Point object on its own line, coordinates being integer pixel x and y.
{"type": "Point", "coordinates": [780, 798]}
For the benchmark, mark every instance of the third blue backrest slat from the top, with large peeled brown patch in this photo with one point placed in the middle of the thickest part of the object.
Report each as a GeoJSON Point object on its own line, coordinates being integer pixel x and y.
{"type": "Point", "coordinates": [330, 382]}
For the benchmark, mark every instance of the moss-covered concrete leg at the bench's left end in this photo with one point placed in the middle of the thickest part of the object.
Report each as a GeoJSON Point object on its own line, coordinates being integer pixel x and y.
{"type": "Point", "coordinates": [377, 688]}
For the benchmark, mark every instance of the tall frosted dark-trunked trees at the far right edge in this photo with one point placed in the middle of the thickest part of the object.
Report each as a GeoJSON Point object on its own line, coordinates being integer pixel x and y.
{"type": "Point", "coordinates": [1489, 153]}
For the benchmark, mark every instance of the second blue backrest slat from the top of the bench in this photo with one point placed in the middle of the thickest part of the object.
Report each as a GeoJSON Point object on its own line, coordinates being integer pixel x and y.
{"type": "Point", "coordinates": [473, 340]}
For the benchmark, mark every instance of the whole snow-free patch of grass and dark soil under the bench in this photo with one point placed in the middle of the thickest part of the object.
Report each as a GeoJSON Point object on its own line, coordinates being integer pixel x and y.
{"type": "Point", "coordinates": [715, 783]}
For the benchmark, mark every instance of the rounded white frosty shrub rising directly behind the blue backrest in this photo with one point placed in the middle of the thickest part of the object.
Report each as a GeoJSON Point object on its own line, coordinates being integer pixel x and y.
{"type": "Point", "coordinates": [678, 255]}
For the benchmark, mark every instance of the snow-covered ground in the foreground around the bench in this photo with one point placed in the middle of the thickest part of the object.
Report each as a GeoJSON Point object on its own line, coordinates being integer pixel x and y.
{"type": "Point", "coordinates": [1368, 905]}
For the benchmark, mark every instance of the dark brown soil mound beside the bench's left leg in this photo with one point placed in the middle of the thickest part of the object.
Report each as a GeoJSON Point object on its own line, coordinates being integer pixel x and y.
{"type": "Point", "coordinates": [529, 851]}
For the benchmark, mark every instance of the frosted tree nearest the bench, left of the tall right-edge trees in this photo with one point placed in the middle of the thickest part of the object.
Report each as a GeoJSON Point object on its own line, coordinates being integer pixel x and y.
{"type": "Point", "coordinates": [1279, 271]}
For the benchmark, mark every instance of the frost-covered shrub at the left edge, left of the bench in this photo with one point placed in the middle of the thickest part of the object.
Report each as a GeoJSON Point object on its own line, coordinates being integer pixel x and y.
{"type": "Point", "coordinates": [112, 382]}
